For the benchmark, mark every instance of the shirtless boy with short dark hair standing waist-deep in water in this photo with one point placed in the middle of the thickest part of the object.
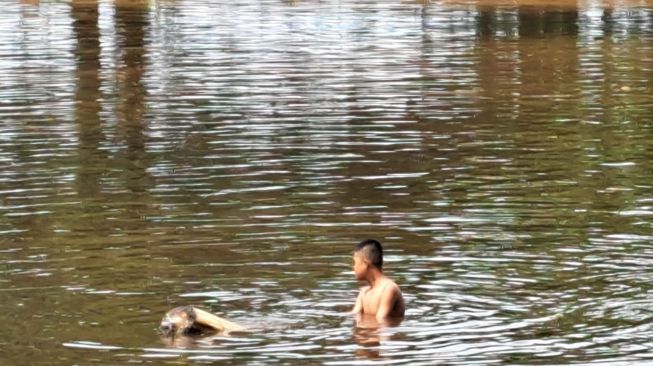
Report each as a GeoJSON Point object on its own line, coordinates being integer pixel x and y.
{"type": "Point", "coordinates": [382, 298]}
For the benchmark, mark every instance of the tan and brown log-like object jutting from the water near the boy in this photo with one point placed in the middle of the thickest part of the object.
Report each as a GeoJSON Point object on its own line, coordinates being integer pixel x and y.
{"type": "Point", "coordinates": [190, 320]}
